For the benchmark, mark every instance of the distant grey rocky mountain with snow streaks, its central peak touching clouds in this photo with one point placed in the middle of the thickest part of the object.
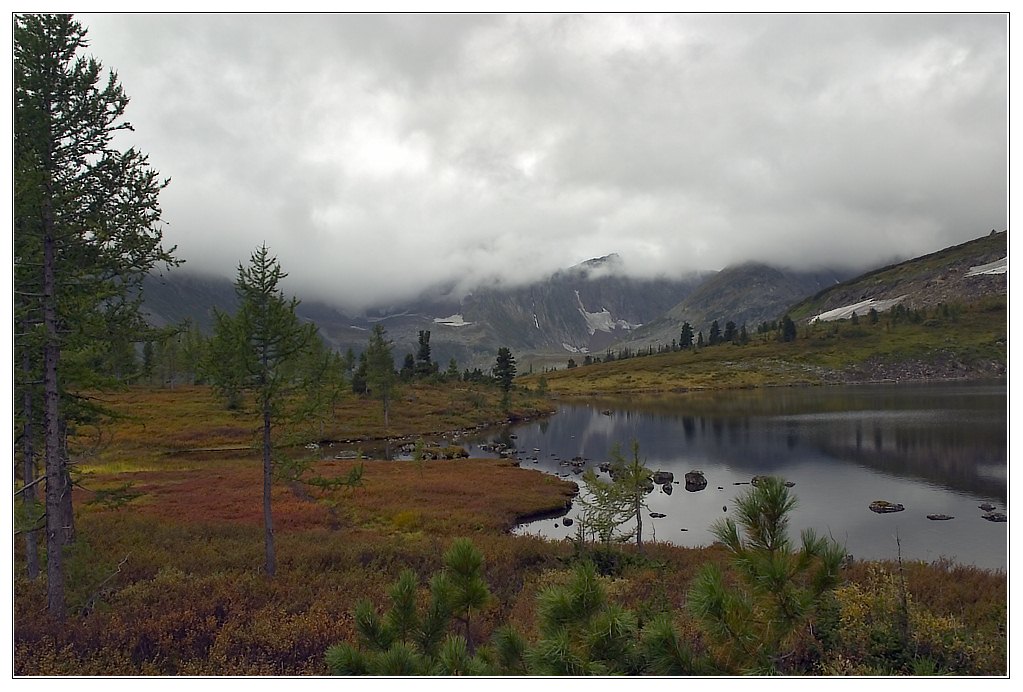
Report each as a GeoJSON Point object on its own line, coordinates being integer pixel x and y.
{"type": "Point", "coordinates": [581, 310]}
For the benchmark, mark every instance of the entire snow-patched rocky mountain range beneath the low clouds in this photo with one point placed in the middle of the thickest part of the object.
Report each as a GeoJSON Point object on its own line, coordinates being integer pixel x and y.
{"type": "Point", "coordinates": [597, 305]}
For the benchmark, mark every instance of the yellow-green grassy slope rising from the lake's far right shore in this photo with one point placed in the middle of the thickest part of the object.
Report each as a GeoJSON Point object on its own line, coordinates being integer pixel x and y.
{"type": "Point", "coordinates": [938, 343]}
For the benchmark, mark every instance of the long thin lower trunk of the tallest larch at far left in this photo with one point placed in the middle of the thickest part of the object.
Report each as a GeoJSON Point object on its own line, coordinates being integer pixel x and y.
{"type": "Point", "coordinates": [52, 427]}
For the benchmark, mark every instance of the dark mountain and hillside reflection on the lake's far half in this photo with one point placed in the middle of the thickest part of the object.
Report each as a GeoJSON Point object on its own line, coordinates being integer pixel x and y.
{"type": "Point", "coordinates": [947, 436]}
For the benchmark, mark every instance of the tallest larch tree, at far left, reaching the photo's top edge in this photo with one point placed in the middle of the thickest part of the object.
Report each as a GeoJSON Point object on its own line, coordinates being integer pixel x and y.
{"type": "Point", "coordinates": [87, 230]}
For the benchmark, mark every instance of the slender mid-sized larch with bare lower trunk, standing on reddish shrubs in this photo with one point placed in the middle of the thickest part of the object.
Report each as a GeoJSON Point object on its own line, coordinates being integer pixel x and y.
{"type": "Point", "coordinates": [263, 344]}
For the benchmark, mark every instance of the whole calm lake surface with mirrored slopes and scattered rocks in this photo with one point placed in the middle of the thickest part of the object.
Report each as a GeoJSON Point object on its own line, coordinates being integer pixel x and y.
{"type": "Point", "coordinates": [935, 449]}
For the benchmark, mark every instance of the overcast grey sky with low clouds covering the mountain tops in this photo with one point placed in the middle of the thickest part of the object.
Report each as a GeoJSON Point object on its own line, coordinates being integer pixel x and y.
{"type": "Point", "coordinates": [379, 156]}
